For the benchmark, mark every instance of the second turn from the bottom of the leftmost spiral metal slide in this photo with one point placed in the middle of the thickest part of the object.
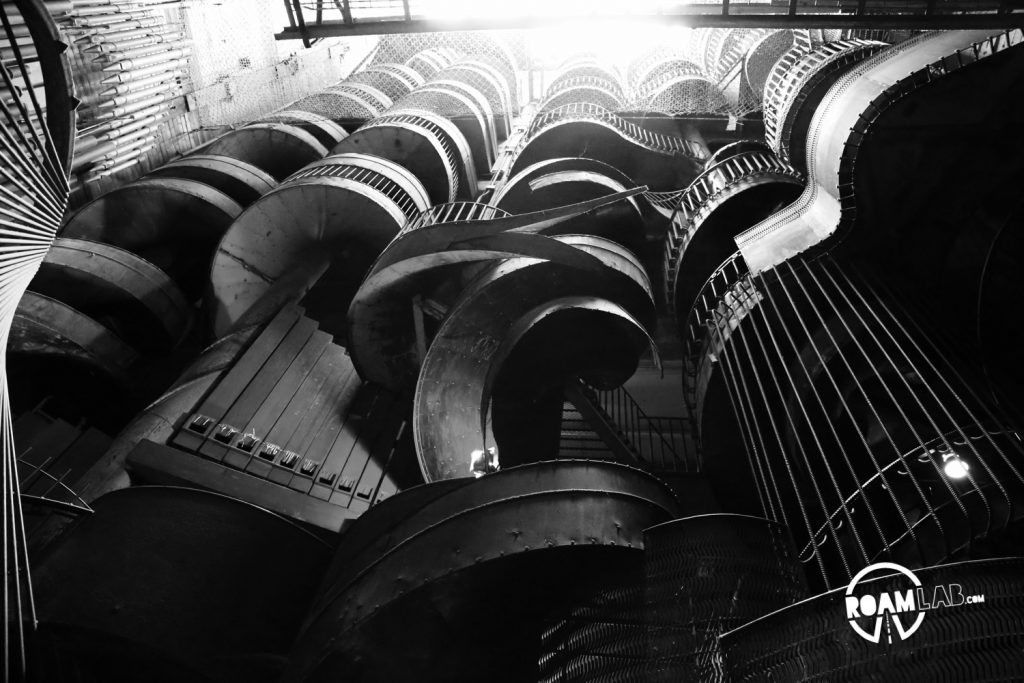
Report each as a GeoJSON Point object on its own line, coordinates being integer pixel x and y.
{"type": "Point", "coordinates": [115, 287]}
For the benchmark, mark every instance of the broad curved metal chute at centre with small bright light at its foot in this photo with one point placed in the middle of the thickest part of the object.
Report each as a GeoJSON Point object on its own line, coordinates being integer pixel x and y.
{"type": "Point", "coordinates": [500, 307]}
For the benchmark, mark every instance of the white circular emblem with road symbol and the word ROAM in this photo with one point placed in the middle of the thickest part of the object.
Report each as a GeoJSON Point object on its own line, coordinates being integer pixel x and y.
{"type": "Point", "coordinates": [895, 609]}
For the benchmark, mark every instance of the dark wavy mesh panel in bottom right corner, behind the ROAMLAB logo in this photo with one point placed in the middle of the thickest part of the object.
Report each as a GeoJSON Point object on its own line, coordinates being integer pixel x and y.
{"type": "Point", "coordinates": [957, 641]}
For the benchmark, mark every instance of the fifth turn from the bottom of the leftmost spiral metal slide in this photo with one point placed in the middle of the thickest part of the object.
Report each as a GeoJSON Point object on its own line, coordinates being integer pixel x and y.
{"type": "Point", "coordinates": [277, 148]}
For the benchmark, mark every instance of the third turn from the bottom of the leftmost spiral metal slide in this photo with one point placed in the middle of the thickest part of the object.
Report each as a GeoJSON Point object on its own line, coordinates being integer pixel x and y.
{"type": "Point", "coordinates": [172, 223]}
